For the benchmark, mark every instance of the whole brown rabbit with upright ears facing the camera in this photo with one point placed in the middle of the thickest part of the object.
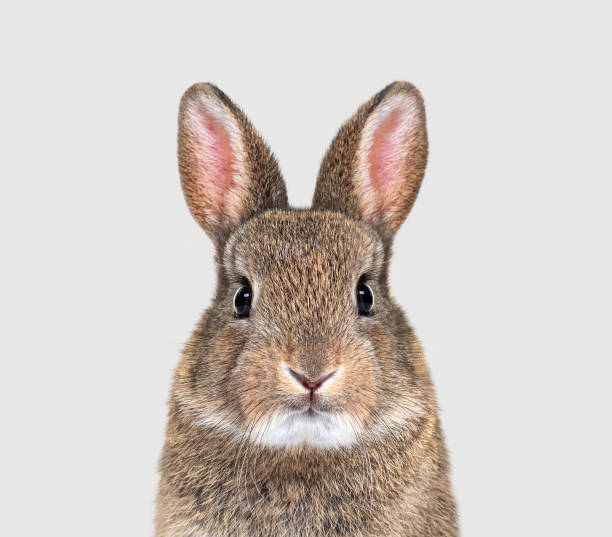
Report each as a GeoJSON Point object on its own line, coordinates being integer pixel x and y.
{"type": "Point", "coordinates": [302, 404]}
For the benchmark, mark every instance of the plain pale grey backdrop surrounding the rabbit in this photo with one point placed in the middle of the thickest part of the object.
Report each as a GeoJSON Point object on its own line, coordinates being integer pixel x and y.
{"type": "Point", "coordinates": [503, 267]}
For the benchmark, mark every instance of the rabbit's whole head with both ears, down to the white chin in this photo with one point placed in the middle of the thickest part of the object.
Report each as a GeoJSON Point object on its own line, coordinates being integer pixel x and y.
{"type": "Point", "coordinates": [303, 344]}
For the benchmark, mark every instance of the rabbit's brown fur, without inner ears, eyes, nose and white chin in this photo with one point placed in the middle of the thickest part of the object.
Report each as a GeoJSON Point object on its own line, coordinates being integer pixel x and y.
{"type": "Point", "coordinates": [304, 265]}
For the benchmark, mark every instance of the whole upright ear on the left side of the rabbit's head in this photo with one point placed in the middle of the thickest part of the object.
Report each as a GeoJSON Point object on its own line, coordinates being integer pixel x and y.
{"type": "Point", "coordinates": [227, 171]}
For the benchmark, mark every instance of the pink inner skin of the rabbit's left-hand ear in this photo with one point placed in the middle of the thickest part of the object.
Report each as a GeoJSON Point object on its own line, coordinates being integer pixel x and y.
{"type": "Point", "coordinates": [216, 158]}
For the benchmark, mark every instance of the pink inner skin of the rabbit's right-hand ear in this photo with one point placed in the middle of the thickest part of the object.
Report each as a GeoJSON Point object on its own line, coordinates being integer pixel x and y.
{"type": "Point", "coordinates": [386, 157]}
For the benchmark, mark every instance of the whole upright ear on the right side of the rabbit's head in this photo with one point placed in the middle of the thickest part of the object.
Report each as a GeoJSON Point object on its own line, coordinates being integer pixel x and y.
{"type": "Point", "coordinates": [375, 165]}
